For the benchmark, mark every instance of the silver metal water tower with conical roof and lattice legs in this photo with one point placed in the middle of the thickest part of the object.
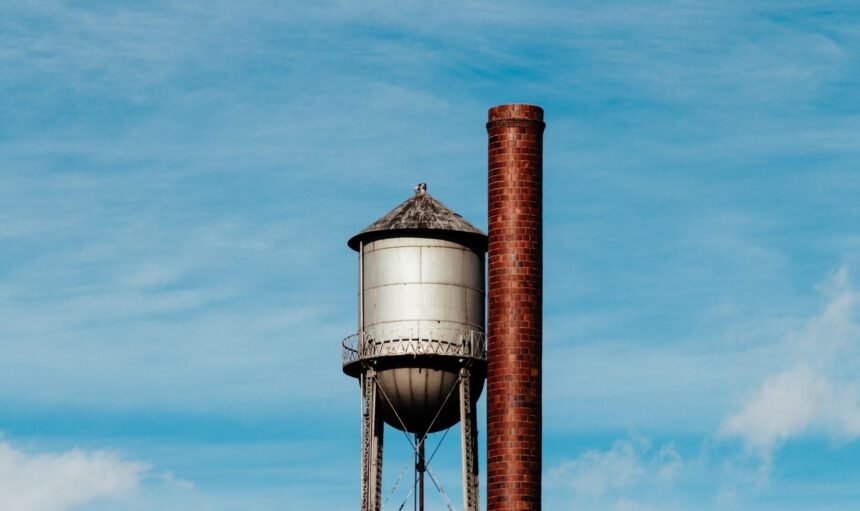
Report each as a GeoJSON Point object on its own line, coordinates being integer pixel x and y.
{"type": "Point", "coordinates": [420, 351]}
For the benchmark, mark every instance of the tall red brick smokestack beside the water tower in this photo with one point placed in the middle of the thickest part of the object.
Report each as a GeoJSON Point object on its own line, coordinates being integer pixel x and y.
{"type": "Point", "coordinates": [515, 308]}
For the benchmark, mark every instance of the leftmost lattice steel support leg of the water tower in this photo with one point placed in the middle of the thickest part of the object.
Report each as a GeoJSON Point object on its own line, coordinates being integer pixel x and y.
{"type": "Point", "coordinates": [371, 445]}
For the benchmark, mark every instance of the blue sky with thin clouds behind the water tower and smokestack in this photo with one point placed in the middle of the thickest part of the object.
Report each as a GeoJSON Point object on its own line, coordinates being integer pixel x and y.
{"type": "Point", "coordinates": [178, 181]}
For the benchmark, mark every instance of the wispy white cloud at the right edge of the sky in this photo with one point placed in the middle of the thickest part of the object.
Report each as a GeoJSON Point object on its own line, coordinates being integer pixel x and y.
{"type": "Point", "coordinates": [819, 392]}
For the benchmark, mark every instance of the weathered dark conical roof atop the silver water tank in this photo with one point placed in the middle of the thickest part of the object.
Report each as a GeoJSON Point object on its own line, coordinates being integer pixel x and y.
{"type": "Point", "coordinates": [422, 215]}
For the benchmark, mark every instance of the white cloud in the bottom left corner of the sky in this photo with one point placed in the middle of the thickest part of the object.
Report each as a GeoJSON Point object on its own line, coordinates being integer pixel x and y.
{"type": "Point", "coordinates": [59, 482]}
